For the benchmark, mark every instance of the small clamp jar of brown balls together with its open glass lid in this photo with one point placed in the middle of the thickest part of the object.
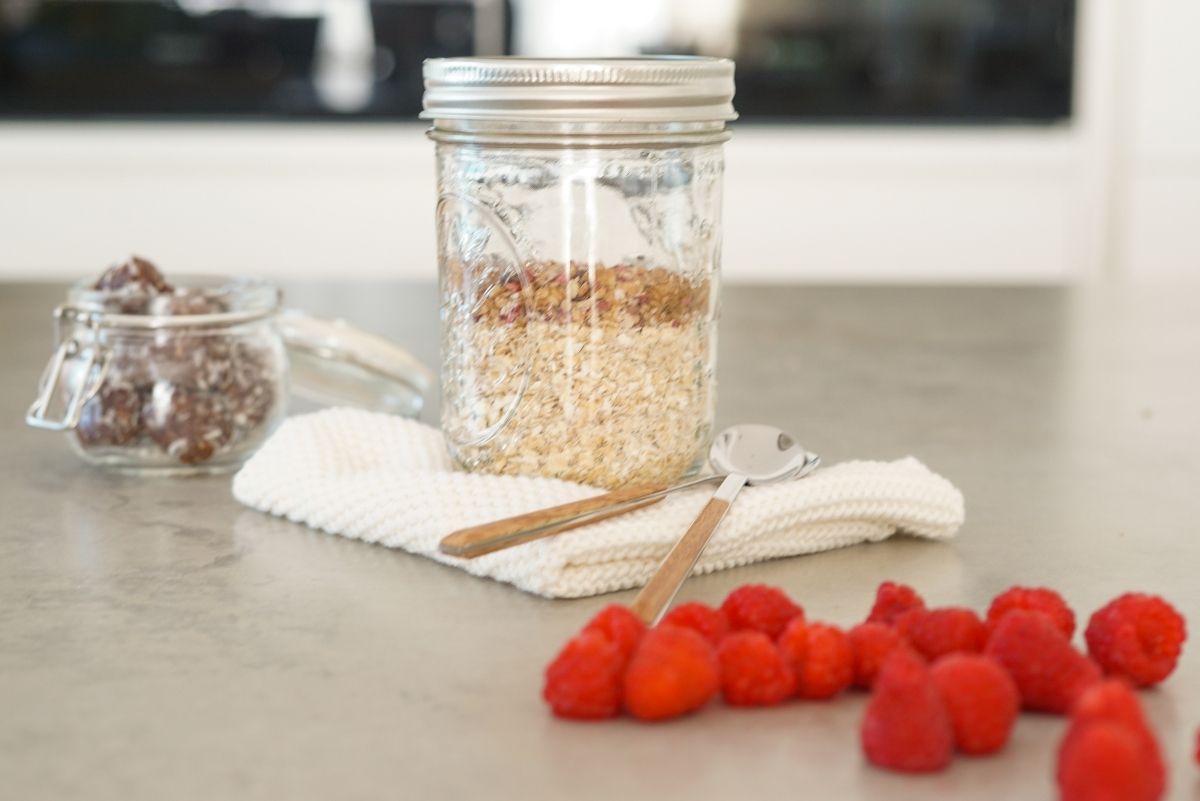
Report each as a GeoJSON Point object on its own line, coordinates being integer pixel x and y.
{"type": "Point", "coordinates": [193, 377]}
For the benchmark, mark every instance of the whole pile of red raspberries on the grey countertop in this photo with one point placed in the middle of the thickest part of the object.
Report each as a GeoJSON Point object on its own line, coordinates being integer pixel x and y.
{"type": "Point", "coordinates": [940, 680]}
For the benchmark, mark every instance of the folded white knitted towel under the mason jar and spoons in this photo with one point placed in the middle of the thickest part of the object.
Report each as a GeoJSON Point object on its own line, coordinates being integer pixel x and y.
{"type": "Point", "coordinates": [388, 480]}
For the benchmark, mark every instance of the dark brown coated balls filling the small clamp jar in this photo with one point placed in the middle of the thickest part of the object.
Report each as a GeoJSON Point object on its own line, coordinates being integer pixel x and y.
{"type": "Point", "coordinates": [184, 395]}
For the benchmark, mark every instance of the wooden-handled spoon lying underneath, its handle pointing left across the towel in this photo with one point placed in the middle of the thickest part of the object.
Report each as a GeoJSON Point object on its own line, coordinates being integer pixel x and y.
{"type": "Point", "coordinates": [479, 540]}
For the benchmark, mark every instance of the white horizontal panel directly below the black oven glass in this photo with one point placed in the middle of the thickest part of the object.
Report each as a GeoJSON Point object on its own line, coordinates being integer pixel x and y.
{"type": "Point", "coordinates": [314, 201]}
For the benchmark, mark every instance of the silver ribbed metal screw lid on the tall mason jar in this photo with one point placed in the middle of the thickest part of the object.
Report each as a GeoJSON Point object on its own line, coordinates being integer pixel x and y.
{"type": "Point", "coordinates": [664, 89]}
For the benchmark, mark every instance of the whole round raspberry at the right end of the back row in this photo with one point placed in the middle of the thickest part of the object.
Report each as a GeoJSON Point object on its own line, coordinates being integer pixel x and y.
{"type": "Point", "coordinates": [1138, 637]}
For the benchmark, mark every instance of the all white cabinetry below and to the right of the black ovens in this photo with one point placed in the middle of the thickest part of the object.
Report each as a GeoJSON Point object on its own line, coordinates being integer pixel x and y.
{"type": "Point", "coordinates": [1114, 194]}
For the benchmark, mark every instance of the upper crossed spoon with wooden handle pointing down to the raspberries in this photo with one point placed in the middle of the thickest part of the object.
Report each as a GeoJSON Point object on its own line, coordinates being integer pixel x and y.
{"type": "Point", "coordinates": [748, 454]}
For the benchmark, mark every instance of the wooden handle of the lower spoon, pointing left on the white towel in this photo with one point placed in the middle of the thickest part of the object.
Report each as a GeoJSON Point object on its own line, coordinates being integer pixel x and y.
{"type": "Point", "coordinates": [485, 539]}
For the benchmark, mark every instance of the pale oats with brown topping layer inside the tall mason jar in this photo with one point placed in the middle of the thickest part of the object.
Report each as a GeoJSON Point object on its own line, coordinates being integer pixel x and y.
{"type": "Point", "coordinates": [598, 376]}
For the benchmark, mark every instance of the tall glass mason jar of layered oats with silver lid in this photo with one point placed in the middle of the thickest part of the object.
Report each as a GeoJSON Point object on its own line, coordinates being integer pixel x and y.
{"type": "Point", "coordinates": [579, 240]}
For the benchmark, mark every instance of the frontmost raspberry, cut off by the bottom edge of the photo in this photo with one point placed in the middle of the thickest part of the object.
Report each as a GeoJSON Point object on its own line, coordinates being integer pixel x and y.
{"type": "Point", "coordinates": [1102, 762]}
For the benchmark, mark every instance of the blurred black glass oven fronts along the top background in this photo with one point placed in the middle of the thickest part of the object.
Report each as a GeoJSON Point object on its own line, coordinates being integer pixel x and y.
{"type": "Point", "coordinates": [919, 62]}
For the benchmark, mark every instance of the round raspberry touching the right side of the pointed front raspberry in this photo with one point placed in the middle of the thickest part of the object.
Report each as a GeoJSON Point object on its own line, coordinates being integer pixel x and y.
{"type": "Point", "coordinates": [981, 700]}
